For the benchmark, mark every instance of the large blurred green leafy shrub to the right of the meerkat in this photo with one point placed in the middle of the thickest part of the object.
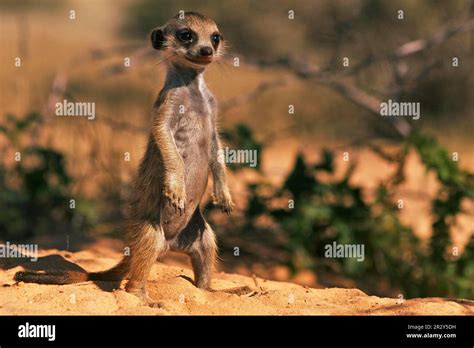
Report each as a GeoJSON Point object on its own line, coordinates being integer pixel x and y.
{"type": "Point", "coordinates": [335, 210]}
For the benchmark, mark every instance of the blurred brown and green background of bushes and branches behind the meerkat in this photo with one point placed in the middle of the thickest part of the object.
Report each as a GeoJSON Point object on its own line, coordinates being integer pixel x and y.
{"type": "Point", "coordinates": [332, 170]}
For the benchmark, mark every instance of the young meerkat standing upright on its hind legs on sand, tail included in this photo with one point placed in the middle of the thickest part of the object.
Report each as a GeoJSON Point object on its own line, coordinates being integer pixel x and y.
{"type": "Point", "coordinates": [172, 177]}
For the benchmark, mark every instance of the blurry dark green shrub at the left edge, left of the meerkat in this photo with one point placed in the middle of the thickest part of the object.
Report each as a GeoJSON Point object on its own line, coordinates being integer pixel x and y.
{"type": "Point", "coordinates": [35, 191]}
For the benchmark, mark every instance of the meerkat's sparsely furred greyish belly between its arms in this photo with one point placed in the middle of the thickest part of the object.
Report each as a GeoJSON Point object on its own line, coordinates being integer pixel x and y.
{"type": "Point", "coordinates": [192, 139]}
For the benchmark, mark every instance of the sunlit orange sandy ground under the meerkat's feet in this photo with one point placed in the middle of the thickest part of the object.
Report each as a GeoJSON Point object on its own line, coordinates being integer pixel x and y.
{"type": "Point", "coordinates": [172, 287]}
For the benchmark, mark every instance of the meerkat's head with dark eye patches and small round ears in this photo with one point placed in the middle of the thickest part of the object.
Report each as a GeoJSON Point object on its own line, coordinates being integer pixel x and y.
{"type": "Point", "coordinates": [189, 40]}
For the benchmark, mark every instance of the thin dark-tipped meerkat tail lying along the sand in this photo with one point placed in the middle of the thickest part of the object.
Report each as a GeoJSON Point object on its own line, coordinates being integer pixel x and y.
{"type": "Point", "coordinates": [116, 273]}
